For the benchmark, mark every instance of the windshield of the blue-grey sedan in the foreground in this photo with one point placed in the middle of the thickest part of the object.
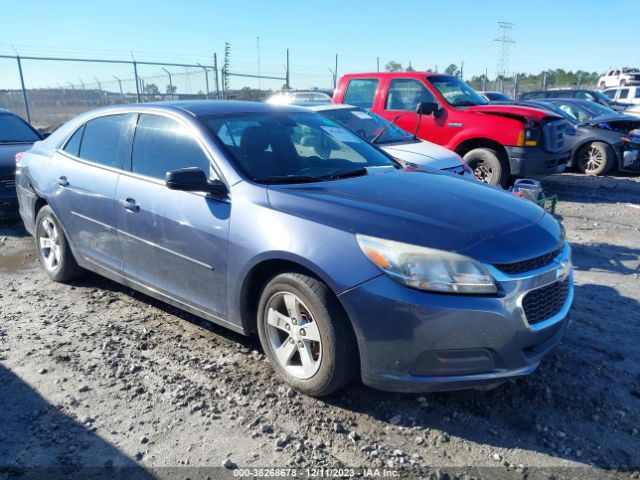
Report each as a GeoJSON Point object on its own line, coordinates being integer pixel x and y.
{"type": "Point", "coordinates": [294, 147]}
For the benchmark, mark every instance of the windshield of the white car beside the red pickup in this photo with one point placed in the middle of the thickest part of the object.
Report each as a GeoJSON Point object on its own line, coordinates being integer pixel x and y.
{"type": "Point", "coordinates": [368, 125]}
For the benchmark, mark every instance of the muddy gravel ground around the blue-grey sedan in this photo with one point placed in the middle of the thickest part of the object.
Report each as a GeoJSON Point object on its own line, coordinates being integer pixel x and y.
{"type": "Point", "coordinates": [94, 375]}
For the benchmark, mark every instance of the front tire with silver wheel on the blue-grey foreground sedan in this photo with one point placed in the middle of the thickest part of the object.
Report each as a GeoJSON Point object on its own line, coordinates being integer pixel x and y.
{"type": "Point", "coordinates": [306, 335]}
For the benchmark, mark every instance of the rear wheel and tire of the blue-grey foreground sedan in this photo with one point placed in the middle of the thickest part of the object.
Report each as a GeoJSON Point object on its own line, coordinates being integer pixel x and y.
{"type": "Point", "coordinates": [53, 248]}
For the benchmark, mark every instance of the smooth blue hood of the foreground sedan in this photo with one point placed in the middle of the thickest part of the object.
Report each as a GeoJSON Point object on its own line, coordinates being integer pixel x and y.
{"type": "Point", "coordinates": [432, 209]}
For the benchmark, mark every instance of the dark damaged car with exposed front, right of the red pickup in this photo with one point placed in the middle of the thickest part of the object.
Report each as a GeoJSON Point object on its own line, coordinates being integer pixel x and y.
{"type": "Point", "coordinates": [600, 138]}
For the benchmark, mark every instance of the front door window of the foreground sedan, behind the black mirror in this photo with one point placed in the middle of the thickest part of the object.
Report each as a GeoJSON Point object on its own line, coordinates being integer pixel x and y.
{"type": "Point", "coordinates": [162, 144]}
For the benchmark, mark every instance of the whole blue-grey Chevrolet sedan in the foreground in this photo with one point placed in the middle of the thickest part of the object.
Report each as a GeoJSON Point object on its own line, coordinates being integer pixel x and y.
{"type": "Point", "coordinates": [276, 221]}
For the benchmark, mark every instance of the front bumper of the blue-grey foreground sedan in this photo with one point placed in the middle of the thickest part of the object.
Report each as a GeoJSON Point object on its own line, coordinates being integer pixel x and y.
{"type": "Point", "coordinates": [414, 341]}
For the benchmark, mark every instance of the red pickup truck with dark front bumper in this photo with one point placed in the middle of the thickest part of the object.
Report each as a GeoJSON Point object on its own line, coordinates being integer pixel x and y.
{"type": "Point", "coordinates": [498, 141]}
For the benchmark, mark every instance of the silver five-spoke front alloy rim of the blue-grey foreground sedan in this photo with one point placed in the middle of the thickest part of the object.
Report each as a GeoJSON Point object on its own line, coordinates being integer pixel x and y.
{"type": "Point", "coordinates": [293, 335]}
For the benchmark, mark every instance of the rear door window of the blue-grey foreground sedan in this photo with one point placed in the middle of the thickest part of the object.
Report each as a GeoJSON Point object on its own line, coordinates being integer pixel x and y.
{"type": "Point", "coordinates": [103, 141]}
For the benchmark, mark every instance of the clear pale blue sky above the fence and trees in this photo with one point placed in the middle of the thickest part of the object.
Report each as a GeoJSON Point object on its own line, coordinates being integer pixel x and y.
{"type": "Point", "coordinates": [585, 34]}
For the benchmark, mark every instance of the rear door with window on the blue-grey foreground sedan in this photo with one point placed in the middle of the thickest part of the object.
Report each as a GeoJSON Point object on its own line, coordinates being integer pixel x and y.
{"type": "Point", "coordinates": [84, 175]}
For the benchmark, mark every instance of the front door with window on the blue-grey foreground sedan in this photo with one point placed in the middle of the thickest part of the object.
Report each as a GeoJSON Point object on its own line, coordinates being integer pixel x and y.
{"type": "Point", "coordinates": [173, 242]}
